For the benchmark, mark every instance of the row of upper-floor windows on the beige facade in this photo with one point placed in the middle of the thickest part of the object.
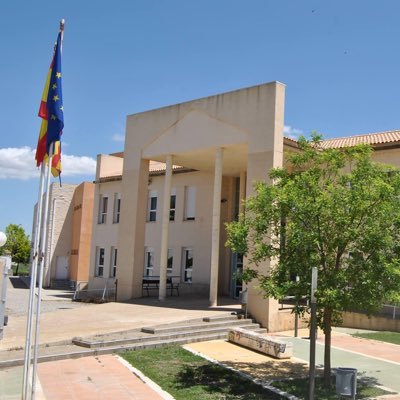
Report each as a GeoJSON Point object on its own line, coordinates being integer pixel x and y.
{"type": "Point", "coordinates": [189, 206]}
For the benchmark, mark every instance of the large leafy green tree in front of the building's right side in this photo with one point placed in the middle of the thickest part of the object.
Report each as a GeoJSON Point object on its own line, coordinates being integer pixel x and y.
{"type": "Point", "coordinates": [334, 209]}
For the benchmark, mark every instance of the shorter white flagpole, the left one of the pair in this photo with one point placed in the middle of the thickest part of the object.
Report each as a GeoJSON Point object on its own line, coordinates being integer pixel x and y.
{"type": "Point", "coordinates": [32, 287]}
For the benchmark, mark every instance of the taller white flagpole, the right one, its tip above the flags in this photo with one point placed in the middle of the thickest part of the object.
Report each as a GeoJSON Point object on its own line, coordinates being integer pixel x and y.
{"type": "Point", "coordinates": [43, 252]}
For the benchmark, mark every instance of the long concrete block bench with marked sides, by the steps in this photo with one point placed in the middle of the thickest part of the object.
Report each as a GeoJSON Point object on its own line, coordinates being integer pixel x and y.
{"type": "Point", "coordinates": [259, 342]}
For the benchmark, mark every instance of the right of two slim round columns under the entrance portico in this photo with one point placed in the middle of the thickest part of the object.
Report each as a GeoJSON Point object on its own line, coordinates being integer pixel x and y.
{"type": "Point", "coordinates": [216, 227]}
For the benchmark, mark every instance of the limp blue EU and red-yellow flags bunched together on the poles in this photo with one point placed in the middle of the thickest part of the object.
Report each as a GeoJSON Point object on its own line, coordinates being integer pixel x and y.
{"type": "Point", "coordinates": [52, 113]}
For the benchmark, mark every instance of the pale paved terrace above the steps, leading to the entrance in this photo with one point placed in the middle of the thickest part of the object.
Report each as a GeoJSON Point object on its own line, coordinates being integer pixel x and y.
{"type": "Point", "coordinates": [63, 325]}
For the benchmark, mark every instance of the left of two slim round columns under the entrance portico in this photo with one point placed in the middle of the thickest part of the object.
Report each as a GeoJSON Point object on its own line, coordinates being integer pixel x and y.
{"type": "Point", "coordinates": [164, 229]}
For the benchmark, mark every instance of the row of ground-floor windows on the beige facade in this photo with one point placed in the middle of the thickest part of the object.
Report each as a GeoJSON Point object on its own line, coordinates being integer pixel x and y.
{"type": "Point", "coordinates": [186, 265]}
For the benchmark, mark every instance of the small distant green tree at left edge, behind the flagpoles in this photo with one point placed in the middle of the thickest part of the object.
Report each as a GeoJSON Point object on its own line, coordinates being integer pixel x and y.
{"type": "Point", "coordinates": [18, 244]}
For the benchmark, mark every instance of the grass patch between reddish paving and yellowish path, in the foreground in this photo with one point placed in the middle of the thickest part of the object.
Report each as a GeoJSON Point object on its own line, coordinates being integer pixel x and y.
{"type": "Point", "coordinates": [189, 377]}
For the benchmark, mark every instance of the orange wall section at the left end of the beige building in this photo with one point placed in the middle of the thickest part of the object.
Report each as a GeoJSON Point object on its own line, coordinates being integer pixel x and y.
{"type": "Point", "coordinates": [82, 222]}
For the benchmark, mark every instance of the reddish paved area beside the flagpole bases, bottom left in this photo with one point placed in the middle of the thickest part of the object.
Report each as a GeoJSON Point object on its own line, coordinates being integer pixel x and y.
{"type": "Point", "coordinates": [92, 378]}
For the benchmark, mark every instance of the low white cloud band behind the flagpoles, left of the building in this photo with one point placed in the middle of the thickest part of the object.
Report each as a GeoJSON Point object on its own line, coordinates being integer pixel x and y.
{"type": "Point", "coordinates": [19, 163]}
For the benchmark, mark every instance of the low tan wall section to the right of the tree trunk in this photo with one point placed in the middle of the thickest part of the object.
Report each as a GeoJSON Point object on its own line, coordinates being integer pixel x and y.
{"type": "Point", "coordinates": [362, 321]}
